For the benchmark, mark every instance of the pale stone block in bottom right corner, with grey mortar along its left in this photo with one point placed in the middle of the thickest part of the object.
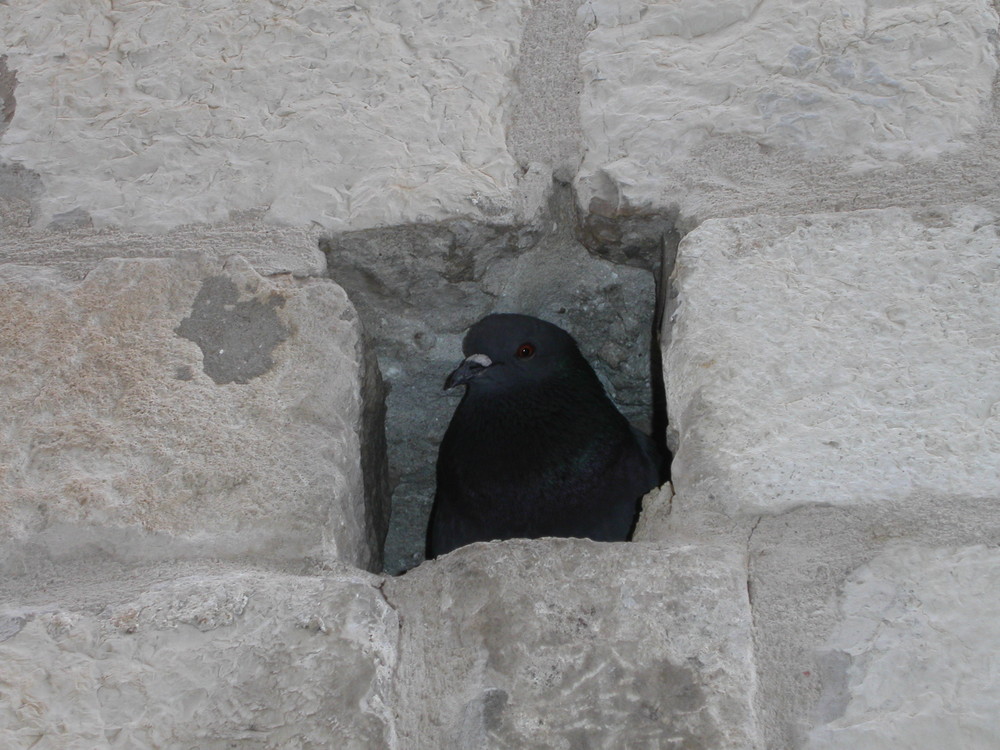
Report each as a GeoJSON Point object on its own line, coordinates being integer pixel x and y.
{"type": "Point", "coordinates": [812, 646]}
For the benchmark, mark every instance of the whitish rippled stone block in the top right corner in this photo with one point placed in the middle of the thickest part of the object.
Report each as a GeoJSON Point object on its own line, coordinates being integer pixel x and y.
{"type": "Point", "coordinates": [746, 107]}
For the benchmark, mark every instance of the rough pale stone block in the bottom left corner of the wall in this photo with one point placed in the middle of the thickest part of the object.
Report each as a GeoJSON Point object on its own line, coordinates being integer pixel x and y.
{"type": "Point", "coordinates": [212, 661]}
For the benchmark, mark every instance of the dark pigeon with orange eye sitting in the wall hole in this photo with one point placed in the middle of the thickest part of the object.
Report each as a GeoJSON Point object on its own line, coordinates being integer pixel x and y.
{"type": "Point", "coordinates": [535, 447]}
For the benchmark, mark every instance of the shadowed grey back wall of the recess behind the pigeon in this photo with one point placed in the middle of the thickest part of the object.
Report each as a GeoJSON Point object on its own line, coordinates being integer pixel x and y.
{"type": "Point", "coordinates": [418, 290]}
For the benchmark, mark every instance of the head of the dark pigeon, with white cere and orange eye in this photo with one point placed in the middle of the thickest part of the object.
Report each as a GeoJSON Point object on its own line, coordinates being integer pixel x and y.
{"type": "Point", "coordinates": [505, 351]}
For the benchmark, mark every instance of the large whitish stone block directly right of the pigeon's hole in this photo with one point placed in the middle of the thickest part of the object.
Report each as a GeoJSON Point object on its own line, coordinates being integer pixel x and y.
{"type": "Point", "coordinates": [844, 360]}
